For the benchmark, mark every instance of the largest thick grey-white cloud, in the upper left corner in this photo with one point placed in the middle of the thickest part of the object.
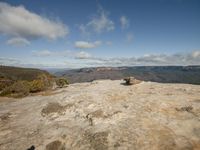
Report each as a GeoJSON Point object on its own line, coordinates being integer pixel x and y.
{"type": "Point", "coordinates": [17, 21]}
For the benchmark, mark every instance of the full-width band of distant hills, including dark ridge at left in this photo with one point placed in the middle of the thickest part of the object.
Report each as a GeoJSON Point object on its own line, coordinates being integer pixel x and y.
{"type": "Point", "coordinates": [163, 74]}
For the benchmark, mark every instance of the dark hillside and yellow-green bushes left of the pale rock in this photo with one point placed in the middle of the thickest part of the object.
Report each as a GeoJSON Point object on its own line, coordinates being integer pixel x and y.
{"type": "Point", "coordinates": [20, 82]}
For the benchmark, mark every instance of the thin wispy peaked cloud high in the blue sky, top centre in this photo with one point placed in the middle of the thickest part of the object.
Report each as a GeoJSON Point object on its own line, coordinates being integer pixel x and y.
{"type": "Point", "coordinates": [98, 24]}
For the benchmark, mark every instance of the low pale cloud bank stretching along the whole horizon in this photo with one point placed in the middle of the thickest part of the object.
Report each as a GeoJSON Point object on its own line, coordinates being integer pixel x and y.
{"type": "Point", "coordinates": [85, 59]}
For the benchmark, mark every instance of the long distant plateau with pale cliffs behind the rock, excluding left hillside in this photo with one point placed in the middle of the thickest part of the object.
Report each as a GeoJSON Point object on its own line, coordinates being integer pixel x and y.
{"type": "Point", "coordinates": [163, 74]}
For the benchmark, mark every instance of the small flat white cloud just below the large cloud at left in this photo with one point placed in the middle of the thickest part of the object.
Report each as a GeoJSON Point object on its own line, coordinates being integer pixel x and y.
{"type": "Point", "coordinates": [17, 41]}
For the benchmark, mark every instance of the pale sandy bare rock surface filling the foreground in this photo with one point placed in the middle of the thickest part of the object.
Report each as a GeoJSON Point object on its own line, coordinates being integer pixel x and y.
{"type": "Point", "coordinates": [104, 115]}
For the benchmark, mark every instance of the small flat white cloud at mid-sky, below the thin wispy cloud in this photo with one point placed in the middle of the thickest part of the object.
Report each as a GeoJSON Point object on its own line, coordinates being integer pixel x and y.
{"type": "Point", "coordinates": [84, 44]}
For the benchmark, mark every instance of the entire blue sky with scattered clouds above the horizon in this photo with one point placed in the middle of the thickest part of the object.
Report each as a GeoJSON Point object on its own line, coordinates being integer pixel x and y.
{"type": "Point", "coordinates": [90, 33]}
